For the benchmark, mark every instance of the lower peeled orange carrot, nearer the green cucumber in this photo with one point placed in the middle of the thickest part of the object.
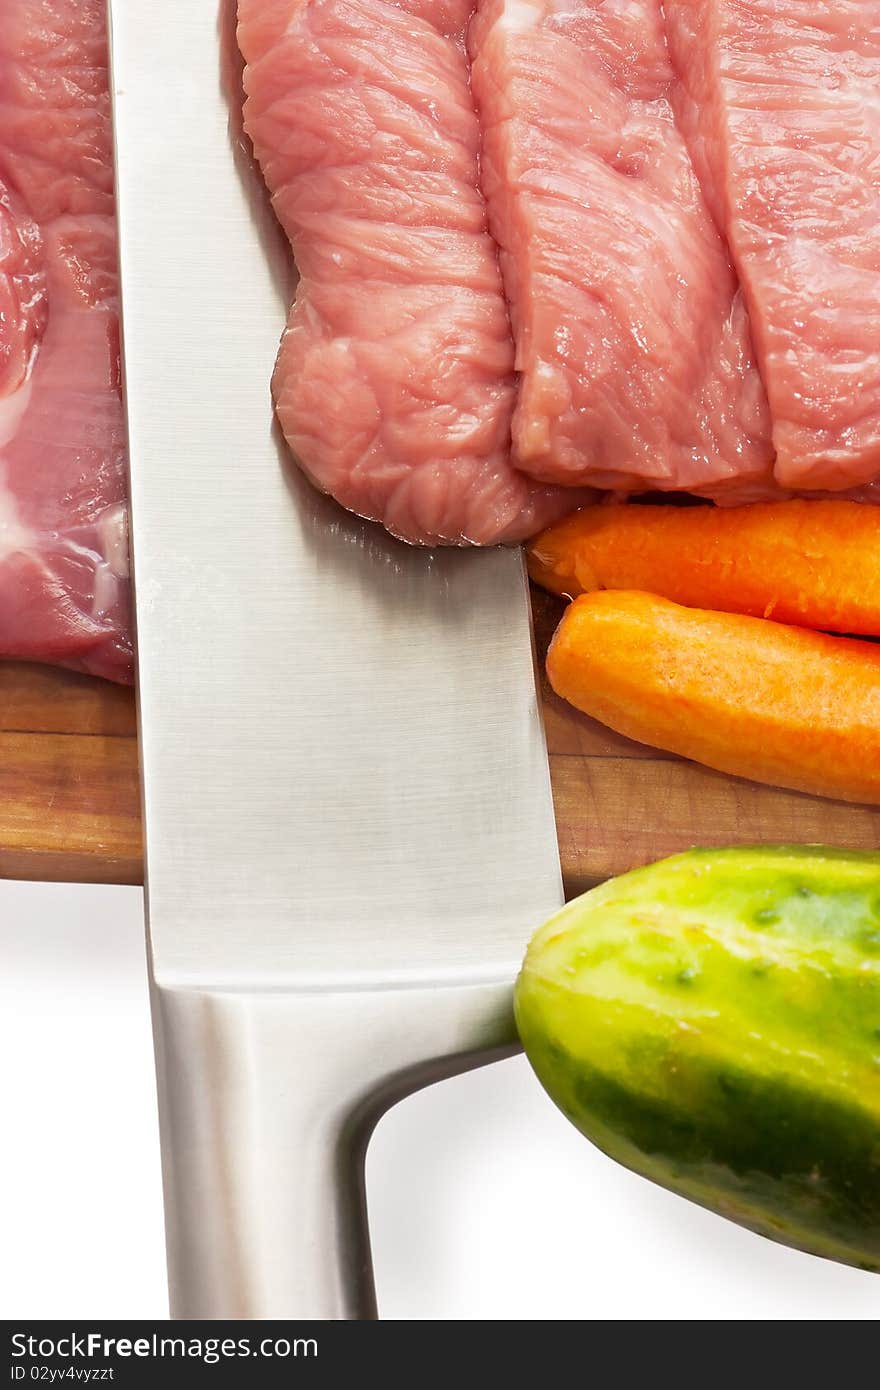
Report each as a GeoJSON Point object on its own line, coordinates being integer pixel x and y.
{"type": "Point", "coordinates": [740, 694]}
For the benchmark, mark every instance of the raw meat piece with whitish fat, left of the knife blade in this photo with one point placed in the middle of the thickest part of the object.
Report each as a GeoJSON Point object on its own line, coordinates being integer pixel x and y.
{"type": "Point", "coordinates": [63, 544]}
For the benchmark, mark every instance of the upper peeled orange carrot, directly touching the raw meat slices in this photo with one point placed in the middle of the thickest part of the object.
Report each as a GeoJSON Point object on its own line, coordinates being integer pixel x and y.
{"type": "Point", "coordinates": [811, 564]}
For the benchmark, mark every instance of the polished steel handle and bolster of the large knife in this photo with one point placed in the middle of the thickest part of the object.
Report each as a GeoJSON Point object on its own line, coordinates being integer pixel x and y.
{"type": "Point", "coordinates": [268, 1102]}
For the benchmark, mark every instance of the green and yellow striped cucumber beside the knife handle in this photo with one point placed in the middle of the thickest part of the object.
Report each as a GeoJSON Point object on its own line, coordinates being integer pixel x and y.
{"type": "Point", "coordinates": [714, 1024]}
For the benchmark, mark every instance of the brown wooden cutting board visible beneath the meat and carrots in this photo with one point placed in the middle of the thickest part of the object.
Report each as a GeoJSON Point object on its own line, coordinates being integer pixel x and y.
{"type": "Point", "coordinates": [70, 799]}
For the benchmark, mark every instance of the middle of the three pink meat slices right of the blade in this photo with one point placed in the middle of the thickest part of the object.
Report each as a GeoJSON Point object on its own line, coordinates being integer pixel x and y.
{"type": "Point", "coordinates": [632, 338]}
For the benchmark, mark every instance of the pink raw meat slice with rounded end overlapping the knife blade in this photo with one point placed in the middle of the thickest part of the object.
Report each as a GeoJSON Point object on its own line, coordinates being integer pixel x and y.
{"type": "Point", "coordinates": [396, 380]}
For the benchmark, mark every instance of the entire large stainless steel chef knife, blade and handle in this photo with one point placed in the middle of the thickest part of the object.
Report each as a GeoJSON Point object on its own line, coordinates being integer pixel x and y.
{"type": "Point", "coordinates": [350, 831]}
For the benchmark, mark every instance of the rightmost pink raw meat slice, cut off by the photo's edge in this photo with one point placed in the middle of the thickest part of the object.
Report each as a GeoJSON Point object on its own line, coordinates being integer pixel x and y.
{"type": "Point", "coordinates": [782, 108]}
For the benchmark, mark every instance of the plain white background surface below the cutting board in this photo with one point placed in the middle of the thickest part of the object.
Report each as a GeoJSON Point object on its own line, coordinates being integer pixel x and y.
{"type": "Point", "coordinates": [484, 1203]}
